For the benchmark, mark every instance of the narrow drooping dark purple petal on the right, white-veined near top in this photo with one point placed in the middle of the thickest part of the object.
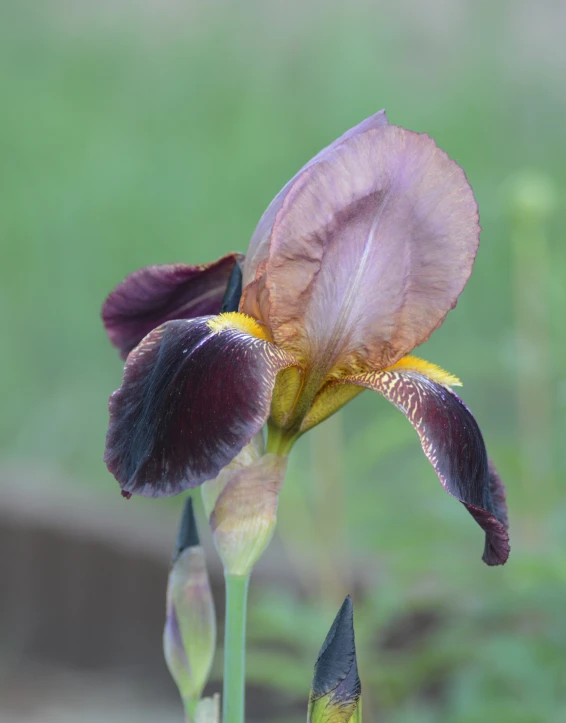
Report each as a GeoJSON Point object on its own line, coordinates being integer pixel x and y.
{"type": "Point", "coordinates": [452, 441]}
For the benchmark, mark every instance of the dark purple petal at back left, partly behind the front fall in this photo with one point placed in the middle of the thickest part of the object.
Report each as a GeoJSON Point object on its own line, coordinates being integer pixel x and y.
{"type": "Point", "coordinates": [155, 294]}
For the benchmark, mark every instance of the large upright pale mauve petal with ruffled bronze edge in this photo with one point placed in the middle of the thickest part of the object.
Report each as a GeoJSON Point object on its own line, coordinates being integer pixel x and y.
{"type": "Point", "coordinates": [371, 247]}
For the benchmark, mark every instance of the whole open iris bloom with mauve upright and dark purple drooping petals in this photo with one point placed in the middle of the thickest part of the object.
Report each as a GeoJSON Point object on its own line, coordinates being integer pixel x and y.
{"type": "Point", "coordinates": [355, 263]}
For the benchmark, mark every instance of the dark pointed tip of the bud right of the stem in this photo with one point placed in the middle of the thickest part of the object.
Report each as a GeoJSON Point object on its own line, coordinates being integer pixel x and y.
{"type": "Point", "coordinates": [338, 652]}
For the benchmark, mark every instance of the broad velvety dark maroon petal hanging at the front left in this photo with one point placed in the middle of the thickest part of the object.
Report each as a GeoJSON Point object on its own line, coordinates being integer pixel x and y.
{"type": "Point", "coordinates": [191, 398]}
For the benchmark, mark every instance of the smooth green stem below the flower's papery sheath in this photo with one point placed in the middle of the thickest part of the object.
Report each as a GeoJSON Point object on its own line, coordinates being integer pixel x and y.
{"type": "Point", "coordinates": [235, 649]}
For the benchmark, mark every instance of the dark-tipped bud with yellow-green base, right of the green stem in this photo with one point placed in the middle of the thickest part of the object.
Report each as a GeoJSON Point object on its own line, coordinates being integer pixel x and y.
{"type": "Point", "coordinates": [336, 689]}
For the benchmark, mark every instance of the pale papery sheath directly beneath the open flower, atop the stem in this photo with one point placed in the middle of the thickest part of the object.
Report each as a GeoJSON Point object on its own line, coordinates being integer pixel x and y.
{"type": "Point", "coordinates": [241, 504]}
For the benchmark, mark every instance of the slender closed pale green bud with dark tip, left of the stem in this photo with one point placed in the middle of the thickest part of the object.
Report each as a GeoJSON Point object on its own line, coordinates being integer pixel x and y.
{"type": "Point", "coordinates": [189, 638]}
